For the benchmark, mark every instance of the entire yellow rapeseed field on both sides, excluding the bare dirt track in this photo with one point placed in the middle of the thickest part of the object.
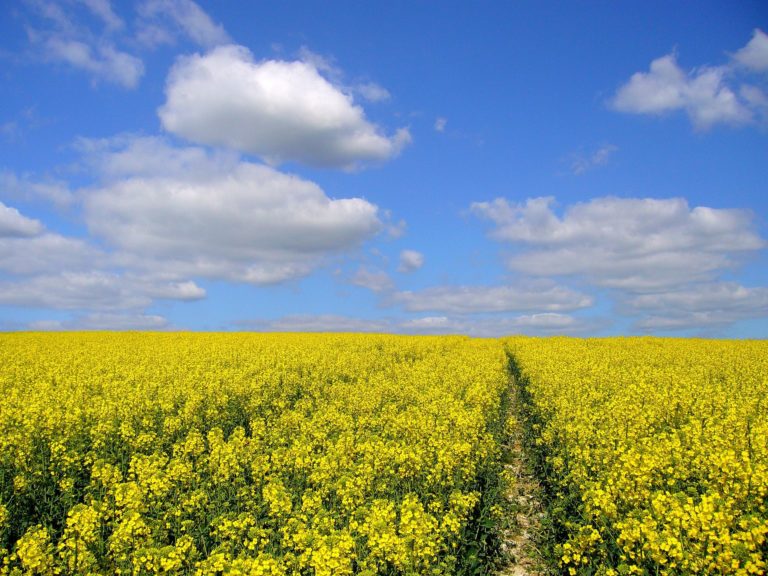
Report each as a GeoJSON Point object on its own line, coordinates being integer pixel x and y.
{"type": "Point", "coordinates": [298, 454]}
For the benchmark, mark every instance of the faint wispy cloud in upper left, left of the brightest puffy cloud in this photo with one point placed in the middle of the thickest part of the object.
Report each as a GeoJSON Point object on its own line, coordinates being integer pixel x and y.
{"type": "Point", "coordinates": [103, 60]}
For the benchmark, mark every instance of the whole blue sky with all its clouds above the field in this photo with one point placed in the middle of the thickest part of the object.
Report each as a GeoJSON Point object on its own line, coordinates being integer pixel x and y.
{"type": "Point", "coordinates": [487, 168]}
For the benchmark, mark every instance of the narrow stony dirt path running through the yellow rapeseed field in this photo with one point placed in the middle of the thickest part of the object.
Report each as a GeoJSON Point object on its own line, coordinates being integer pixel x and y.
{"type": "Point", "coordinates": [522, 537]}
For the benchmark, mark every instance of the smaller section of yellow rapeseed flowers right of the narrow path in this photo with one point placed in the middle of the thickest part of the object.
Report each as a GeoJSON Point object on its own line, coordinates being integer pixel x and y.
{"type": "Point", "coordinates": [655, 451]}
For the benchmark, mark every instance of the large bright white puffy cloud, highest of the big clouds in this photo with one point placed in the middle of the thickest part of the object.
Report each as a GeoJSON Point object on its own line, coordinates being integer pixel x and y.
{"type": "Point", "coordinates": [274, 109]}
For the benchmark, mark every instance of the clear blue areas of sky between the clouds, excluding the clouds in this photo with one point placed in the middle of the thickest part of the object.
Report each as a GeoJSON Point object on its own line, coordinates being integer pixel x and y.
{"type": "Point", "coordinates": [523, 87]}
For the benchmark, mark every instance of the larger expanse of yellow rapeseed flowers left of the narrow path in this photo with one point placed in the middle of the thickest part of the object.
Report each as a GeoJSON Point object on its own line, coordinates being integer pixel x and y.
{"type": "Point", "coordinates": [243, 454]}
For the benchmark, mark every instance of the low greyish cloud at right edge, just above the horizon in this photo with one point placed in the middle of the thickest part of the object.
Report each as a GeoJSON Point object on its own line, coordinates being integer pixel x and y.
{"type": "Point", "coordinates": [699, 306]}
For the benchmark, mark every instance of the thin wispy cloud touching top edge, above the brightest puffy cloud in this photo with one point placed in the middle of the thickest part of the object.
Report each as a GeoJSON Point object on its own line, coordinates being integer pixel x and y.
{"type": "Point", "coordinates": [163, 19]}
